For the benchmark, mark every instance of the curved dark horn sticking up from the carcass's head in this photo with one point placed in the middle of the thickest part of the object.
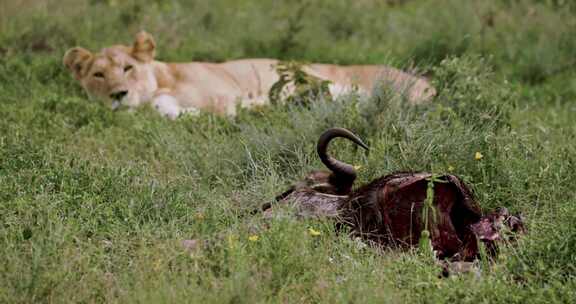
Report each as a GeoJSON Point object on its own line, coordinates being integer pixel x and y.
{"type": "Point", "coordinates": [335, 165]}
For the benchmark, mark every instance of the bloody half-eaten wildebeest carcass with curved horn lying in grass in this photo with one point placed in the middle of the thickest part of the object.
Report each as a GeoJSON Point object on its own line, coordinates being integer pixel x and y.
{"type": "Point", "coordinates": [390, 211]}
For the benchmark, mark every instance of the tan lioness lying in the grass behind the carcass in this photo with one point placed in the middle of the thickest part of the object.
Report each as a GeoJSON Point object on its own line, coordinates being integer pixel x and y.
{"type": "Point", "coordinates": [130, 76]}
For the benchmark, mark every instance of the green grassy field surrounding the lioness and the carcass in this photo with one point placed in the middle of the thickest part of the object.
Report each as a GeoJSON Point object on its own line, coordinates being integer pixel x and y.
{"type": "Point", "coordinates": [95, 204]}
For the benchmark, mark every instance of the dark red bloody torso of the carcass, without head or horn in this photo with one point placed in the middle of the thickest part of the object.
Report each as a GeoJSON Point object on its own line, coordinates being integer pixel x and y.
{"type": "Point", "coordinates": [388, 212]}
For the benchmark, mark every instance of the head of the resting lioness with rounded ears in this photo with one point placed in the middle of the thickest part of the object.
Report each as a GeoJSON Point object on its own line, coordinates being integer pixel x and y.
{"type": "Point", "coordinates": [118, 75]}
